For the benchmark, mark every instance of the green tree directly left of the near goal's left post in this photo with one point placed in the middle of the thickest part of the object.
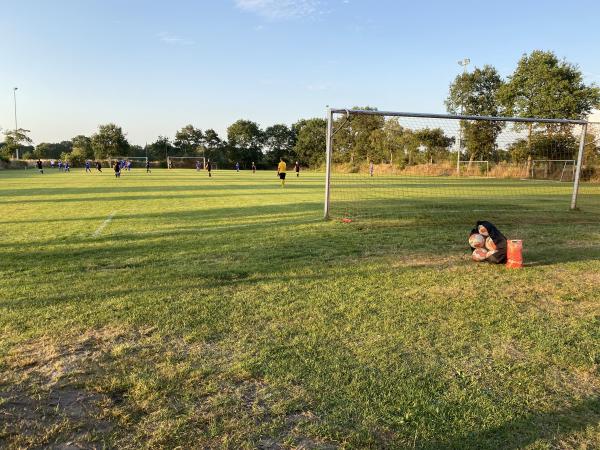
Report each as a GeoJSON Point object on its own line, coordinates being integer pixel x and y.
{"type": "Point", "coordinates": [311, 135]}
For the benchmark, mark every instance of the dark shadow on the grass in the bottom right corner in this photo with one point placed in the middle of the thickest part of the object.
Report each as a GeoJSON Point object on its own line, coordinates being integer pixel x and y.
{"type": "Point", "coordinates": [520, 433]}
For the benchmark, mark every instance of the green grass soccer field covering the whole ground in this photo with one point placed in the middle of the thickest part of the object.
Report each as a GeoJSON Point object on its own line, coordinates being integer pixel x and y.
{"type": "Point", "coordinates": [170, 310]}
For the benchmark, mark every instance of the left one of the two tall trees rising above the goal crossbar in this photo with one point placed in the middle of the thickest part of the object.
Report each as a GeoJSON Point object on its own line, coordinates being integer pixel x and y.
{"type": "Point", "coordinates": [476, 93]}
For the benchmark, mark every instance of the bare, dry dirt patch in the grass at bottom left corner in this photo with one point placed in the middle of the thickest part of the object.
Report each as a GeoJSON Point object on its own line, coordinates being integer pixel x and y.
{"type": "Point", "coordinates": [43, 398]}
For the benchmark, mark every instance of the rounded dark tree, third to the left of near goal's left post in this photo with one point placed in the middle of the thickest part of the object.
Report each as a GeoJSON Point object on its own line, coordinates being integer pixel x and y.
{"type": "Point", "coordinates": [245, 142]}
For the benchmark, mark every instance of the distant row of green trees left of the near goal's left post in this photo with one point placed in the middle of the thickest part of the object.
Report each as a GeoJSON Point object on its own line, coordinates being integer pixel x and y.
{"type": "Point", "coordinates": [246, 143]}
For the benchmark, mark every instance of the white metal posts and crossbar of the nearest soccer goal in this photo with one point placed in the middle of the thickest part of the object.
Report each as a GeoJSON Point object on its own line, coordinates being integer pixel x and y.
{"type": "Point", "coordinates": [347, 112]}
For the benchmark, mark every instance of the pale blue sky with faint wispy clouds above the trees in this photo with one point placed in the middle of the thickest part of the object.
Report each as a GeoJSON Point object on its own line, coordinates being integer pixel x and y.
{"type": "Point", "coordinates": [153, 67]}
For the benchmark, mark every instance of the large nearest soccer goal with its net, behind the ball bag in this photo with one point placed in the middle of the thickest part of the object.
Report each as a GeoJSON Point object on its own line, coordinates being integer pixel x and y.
{"type": "Point", "coordinates": [384, 164]}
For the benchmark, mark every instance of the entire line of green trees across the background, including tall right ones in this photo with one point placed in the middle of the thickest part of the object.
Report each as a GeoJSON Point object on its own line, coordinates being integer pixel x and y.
{"type": "Point", "coordinates": [541, 85]}
